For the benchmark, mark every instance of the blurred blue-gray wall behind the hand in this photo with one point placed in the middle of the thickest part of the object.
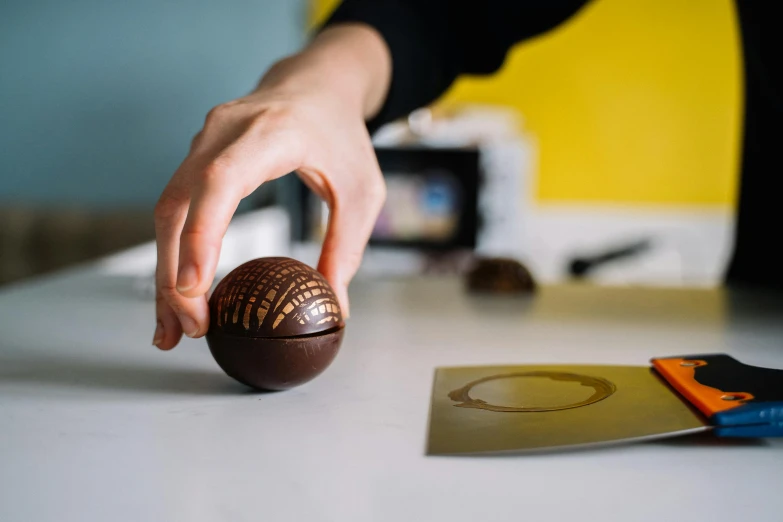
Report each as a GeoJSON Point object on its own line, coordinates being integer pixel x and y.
{"type": "Point", "coordinates": [99, 98]}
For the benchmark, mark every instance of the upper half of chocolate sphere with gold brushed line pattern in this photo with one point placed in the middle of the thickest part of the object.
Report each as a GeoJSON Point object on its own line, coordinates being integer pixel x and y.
{"type": "Point", "coordinates": [274, 297]}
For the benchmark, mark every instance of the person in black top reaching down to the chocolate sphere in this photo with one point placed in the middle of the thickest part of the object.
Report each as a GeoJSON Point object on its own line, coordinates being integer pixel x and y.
{"type": "Point", "coordinates": [372, 62]}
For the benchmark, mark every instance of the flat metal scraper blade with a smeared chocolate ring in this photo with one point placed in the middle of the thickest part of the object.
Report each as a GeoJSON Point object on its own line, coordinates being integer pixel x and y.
{"type": "Point", "coordinates": [493, 409]}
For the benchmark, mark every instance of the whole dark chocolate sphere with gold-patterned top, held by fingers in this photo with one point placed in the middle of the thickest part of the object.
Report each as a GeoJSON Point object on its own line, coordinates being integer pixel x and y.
{"type": "Point", "coordinates": [274, 323]}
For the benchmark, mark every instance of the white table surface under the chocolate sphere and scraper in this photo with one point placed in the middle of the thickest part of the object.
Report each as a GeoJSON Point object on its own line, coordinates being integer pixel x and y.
{"type": "Point", "coordinates": [96, 424]}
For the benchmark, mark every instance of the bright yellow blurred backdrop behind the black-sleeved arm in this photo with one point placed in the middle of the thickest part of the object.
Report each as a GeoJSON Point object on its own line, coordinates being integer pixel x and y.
{"type": "Point", "coordinates": [630, 101]}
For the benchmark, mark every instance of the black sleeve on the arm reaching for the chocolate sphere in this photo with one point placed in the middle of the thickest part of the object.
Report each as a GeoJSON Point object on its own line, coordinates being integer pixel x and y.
{"type": "Point", "coordinates": [434, 41]}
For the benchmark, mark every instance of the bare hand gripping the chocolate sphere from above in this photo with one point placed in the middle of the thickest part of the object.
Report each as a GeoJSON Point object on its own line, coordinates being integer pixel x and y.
{"type": "Point", "coordinates": [297, 120]}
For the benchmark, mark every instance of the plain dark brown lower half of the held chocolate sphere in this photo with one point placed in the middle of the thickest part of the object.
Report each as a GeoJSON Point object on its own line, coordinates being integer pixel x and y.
{"type": "Point", "coordinates": [274, 363]}
